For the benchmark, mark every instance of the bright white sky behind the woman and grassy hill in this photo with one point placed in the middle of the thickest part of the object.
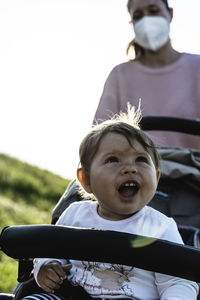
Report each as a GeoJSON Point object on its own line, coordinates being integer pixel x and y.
{"type": "Point", "coordinates": [55, 56]}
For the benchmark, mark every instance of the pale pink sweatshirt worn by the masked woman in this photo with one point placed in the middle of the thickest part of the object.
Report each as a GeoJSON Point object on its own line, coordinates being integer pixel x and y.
{"type": "Point", "coordinates": [172, 90]}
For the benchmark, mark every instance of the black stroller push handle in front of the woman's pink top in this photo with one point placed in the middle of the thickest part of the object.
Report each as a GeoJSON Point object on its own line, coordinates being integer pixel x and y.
{"type": "Point", "coordinates": [173, 124]}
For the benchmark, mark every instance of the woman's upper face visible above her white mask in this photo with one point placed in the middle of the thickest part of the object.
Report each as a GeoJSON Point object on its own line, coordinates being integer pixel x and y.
{"type": "Point", "coordinates": [141, 8]}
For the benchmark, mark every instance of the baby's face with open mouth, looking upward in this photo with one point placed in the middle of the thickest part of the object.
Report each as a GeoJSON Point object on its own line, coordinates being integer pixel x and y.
{"type": "Point", "coordinates": [122, 178]}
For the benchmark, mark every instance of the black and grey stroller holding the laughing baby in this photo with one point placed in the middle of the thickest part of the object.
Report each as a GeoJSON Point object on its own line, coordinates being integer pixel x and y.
{"type": "Point", "coordinates": [177, 196]}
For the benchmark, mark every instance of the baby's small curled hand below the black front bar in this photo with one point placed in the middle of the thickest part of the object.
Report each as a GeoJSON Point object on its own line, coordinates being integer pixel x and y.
{"type": "Point", "coordinates": [51, 275]}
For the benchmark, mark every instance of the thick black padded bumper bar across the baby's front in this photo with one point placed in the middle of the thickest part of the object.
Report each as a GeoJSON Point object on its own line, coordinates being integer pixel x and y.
{"type": "Point", "coordinates": [29, 241]}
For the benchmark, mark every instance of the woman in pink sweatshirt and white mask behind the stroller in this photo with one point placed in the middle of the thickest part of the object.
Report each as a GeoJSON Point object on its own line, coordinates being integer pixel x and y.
{"type": "Point", "coordinates": [166, 81]}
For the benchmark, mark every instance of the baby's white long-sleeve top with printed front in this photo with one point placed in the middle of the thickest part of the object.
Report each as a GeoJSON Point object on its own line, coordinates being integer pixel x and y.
{"type": "Point", "coordinates": [114, 281]}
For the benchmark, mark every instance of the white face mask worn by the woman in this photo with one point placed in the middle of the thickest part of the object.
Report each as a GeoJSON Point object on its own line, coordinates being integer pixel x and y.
{"type": "Point", "coordinates": [152, 32]}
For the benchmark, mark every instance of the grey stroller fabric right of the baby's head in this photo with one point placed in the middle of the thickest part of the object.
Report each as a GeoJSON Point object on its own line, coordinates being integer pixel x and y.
{"type": "Point", "coordinates": [178, 193]}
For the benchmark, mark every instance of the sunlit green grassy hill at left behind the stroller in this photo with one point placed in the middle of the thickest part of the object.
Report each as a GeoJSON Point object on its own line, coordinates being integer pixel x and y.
{"type": "Point", "coordinates": [27, 196]}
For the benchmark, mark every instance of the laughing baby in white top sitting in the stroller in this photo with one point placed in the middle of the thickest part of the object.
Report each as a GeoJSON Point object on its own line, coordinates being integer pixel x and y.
{"type": "Point", "coordinates": [119, 166]}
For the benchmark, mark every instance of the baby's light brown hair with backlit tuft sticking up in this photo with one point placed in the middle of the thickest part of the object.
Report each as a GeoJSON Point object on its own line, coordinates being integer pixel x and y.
{"type": "Point", "coordinates": [124, 124]}
